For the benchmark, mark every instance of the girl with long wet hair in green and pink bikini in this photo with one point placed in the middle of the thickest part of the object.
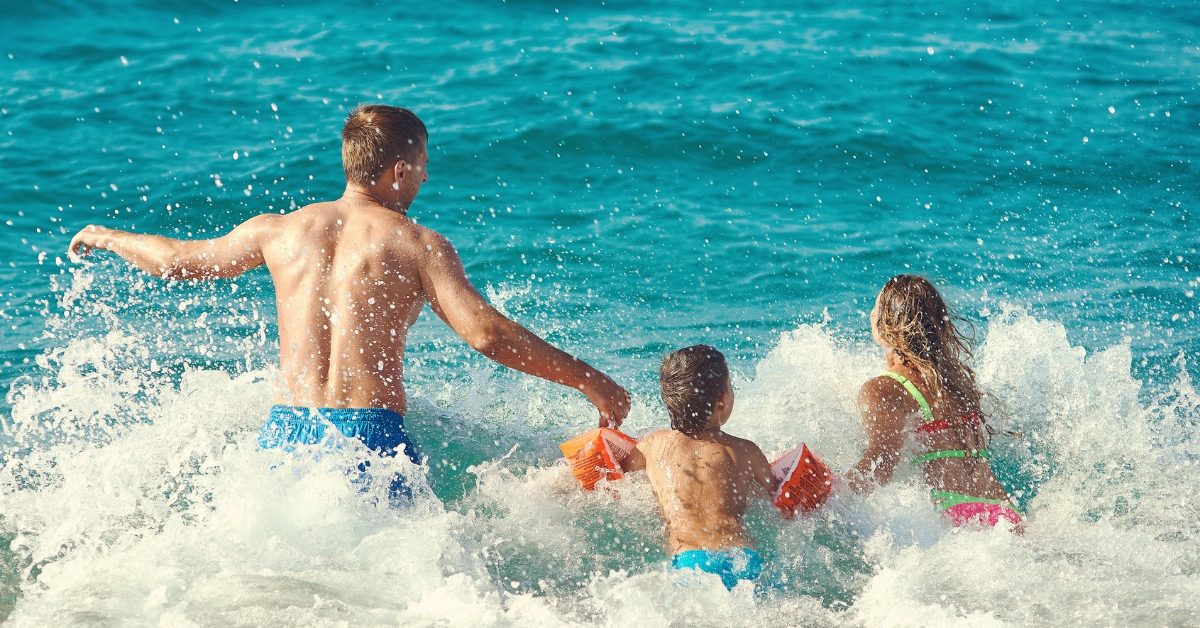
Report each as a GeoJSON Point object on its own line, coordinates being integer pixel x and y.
{"type": "Point", "coordinates": [928, 390]}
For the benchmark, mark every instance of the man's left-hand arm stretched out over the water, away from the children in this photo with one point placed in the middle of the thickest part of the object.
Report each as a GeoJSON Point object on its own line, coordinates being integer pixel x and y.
{"type": "Point", "coordinates": [227, 256]}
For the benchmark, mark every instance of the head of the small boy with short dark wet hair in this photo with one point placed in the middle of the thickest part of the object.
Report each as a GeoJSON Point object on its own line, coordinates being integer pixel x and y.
{"type": "Point", "coordinates": [693, 381]}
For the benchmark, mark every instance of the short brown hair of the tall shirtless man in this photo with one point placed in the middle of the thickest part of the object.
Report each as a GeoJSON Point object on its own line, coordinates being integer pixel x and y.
{"type": "Point", "coordinates": [377, 136]}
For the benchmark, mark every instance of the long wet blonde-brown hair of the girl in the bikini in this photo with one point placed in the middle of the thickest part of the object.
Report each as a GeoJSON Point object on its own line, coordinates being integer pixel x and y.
{"type": "Point", "coordinates": [915, 321]}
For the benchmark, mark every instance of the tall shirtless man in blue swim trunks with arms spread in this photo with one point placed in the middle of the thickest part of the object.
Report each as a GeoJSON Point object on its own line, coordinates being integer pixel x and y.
{"type": "Point", "coordinates": [351, 278]}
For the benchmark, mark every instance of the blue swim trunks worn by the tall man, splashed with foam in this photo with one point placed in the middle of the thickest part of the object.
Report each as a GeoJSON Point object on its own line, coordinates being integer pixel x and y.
{"type": "Point", "coordinates": [380, 429]}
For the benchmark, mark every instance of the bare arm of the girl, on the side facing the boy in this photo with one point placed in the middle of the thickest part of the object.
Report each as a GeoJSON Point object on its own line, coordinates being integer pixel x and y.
{"type": "Point", "coordinates": [883, 404]}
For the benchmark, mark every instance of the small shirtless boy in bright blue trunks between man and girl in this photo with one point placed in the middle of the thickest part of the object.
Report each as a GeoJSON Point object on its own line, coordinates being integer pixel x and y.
{"type": "Point", "coordinates": [703, 477]}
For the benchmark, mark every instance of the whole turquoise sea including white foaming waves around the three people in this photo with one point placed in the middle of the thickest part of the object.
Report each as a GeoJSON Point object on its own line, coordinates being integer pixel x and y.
{"type": "Point", "coordinates": [623, 178]}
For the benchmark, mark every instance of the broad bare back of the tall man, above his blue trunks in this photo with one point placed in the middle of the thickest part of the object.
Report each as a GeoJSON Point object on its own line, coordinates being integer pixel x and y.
{"type": "Point", "coordinates": [349, 284]}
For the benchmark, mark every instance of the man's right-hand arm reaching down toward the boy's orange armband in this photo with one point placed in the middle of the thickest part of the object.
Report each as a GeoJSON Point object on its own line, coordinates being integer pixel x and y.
{"type": "Point", "coordinates": [457, 302]}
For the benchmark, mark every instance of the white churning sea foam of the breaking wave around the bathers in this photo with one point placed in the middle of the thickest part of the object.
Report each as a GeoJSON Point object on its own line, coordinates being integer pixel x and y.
{"type": "Point", "coordinates": [136, 497]}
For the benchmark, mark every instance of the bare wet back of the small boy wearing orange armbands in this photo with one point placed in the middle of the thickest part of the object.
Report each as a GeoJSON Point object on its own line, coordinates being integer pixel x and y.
{"type": "Point", "coordinates": [704, 486]}
